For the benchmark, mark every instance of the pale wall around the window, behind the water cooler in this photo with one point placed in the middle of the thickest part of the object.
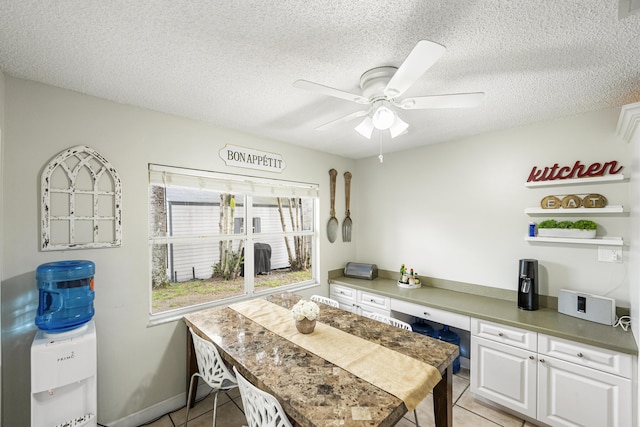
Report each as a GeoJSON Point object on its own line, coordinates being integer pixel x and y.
{"type": "Point", "coordinates": [138, 366]}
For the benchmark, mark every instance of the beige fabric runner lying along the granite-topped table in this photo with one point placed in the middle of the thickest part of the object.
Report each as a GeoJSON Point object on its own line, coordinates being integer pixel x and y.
{"type": "Point", "coordinates": [400, 375]}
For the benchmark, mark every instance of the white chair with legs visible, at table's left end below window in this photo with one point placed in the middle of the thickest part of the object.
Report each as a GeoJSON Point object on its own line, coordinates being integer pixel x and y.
{"type": "Point", "coordinates": [212, 370]}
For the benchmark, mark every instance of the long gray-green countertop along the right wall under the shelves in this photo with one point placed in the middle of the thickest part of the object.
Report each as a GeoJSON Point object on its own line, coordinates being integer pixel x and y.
{"type": "Point", "coordinates": [545, 320]}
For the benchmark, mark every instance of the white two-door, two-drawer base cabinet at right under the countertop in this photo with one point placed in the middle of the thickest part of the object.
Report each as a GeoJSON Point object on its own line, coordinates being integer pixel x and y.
{"type": "Point", "coordinates": [577, 384]}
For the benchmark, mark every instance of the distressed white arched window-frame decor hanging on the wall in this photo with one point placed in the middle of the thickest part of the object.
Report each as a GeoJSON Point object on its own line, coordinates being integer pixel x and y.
{"type": "Point", "coordinates": [81, 202]}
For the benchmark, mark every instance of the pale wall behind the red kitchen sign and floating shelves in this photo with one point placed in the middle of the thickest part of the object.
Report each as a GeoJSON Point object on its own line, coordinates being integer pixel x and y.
{"type": "Point", "coordinates": [456, 210]}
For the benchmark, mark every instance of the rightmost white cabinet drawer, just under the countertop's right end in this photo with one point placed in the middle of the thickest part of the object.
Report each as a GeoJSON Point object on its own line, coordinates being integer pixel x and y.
{"type": "Point", "coordinates": [598, 358]}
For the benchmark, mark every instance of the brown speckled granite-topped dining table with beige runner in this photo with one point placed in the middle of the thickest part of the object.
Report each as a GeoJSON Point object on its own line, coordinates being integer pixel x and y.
{"type": "Point", "coordinates": [350, 371]}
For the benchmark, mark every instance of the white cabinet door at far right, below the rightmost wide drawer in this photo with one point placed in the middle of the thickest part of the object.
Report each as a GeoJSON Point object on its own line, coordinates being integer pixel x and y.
{"type": "Point", "coordinates": [572, 395]}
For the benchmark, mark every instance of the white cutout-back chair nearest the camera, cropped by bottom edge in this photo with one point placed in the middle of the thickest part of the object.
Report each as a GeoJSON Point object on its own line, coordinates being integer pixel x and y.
{"type": "Point", "coordinates": [260, 408]}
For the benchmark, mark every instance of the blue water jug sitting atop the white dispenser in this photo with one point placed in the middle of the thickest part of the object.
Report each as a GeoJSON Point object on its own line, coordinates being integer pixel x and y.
{"type": "Point", "coordinates": [65, 295]}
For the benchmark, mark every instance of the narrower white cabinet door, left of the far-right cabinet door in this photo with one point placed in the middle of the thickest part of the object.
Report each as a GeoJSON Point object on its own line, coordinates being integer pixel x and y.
{"type": "Point", "coordinates": [504, 374]}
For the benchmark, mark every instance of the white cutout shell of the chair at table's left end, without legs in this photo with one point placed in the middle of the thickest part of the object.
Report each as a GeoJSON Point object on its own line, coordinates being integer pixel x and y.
{"type": "Point", "coordinates": [210, 365]}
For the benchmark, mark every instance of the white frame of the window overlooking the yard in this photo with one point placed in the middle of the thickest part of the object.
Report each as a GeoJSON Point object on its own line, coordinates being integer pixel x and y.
{"type": "Point", "coordinates": [240, 184]}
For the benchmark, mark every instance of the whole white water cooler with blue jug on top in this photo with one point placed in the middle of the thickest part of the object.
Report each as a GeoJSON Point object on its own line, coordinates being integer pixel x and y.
{"type": "Point", "coordinates": [64, 350]}
